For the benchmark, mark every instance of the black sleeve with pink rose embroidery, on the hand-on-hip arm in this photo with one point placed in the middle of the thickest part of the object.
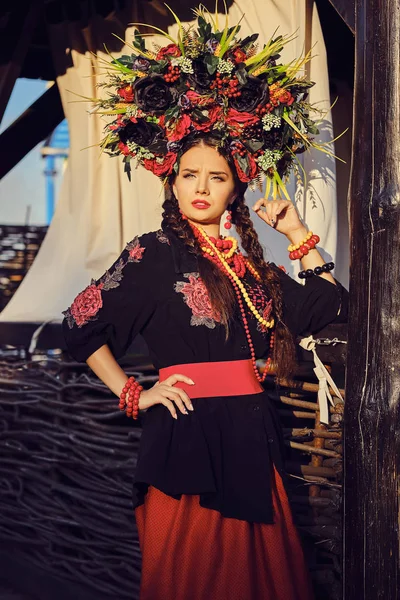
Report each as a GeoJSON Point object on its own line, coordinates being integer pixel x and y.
{"type": "Point", "coordinates": [113, 309]}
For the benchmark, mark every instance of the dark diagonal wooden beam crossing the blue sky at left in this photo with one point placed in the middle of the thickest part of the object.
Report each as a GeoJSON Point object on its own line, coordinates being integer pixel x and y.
{"type": "Point", "coordinates": [33, 126]}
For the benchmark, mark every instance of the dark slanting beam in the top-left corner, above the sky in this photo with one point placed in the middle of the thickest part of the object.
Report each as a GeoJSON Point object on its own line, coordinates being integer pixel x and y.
{"type": "Point", "coordinates": [15, 37]}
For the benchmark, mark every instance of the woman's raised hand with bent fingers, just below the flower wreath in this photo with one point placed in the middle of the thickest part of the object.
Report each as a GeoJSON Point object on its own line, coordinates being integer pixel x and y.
{"type": "Point", "coordinates": [279, 214]}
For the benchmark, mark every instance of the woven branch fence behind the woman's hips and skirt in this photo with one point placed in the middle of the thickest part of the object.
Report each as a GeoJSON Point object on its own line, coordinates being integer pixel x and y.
{"type": "Point", "coordinates": [68, 458]}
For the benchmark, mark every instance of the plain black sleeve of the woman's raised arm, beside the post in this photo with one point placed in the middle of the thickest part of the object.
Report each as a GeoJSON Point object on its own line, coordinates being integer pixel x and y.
{"type": "Point", "coordinates": [310, 307]}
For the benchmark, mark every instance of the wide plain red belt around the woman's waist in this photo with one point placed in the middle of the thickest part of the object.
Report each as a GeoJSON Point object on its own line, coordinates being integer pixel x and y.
{"type": "Point", "coordinates": [224, 378]}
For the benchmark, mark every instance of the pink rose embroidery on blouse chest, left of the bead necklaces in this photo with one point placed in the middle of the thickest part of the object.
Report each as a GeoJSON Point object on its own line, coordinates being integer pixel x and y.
{"type": "Point", "coordinates": [197, 298]}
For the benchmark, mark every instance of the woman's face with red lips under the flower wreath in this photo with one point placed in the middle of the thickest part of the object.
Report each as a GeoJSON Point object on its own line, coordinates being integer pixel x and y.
{"type": "Point", "coordinates": [204, 186]}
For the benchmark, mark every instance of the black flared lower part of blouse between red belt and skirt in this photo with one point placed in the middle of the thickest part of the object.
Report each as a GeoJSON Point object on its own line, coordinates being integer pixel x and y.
{"type": "Point", "coordinates": [223, 451]}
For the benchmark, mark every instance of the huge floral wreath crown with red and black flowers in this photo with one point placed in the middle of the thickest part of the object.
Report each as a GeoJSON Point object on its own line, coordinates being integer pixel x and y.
{"type": "Point", "coordinates": [210, 81]}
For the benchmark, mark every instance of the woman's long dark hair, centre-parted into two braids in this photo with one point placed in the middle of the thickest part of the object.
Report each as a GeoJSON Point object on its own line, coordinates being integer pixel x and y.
{"type": "Point", "coordinates": [222, 296]}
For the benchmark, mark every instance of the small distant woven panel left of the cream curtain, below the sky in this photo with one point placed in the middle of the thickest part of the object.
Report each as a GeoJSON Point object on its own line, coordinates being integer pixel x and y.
{"type": "Point", "coordinates": [19, 245]}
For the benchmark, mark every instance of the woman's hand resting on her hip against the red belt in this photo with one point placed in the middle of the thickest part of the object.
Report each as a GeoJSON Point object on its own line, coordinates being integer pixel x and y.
{"type": "Point", "coordinates": [165, 393]}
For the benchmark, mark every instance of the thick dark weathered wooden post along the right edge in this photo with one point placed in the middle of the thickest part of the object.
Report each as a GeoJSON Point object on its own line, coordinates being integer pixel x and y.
{"type": "Point", "coordinates": [372, 419]}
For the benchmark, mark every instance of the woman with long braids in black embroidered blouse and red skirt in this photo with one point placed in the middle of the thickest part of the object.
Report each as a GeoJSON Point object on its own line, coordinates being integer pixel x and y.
{"type": "Point", "coordinates": [211, 509]}
